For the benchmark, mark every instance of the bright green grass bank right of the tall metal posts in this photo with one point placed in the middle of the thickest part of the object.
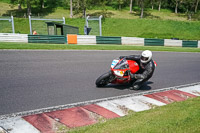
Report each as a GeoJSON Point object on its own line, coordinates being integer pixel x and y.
{"type": "Point", "coordinates": [150, 28]}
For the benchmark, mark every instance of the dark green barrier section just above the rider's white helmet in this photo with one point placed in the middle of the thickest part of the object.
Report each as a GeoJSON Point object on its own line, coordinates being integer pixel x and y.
{"type": "Point", "coordinates": [154, 42]}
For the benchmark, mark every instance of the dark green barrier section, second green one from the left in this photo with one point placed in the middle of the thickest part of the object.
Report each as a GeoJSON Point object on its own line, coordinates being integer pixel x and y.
{"type": "Point", "coordinates": [108, 40]}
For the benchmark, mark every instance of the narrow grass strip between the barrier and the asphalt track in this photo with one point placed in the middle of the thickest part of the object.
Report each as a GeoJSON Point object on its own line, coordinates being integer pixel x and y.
{"type": "Point", "coordinates": [91, 47]}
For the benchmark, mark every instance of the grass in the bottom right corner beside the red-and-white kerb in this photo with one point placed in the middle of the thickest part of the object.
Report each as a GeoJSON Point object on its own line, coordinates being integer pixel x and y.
{"type": "Point", "coordinates": [179, 117]}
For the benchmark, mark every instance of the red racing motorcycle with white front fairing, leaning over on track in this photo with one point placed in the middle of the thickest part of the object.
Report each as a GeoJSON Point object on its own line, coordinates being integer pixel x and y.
{"type": "Point", "coordinates": [119, 73]}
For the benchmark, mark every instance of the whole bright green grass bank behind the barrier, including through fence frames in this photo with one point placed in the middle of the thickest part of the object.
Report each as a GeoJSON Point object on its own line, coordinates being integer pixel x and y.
{"type": "Point", "coordinates": [145, 28]}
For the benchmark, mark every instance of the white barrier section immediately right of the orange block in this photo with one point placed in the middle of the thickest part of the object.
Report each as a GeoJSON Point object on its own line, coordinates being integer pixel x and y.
{"type": "Point", "coordinates": [86, 39]}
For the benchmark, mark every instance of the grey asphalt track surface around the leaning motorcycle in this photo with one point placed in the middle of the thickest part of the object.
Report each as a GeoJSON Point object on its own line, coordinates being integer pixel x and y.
{"type": "Point", "coordinates": [38, 79]}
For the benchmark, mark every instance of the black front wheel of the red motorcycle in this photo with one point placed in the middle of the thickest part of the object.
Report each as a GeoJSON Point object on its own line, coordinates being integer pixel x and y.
{"type": "Point", "coordinates": [103, 80]}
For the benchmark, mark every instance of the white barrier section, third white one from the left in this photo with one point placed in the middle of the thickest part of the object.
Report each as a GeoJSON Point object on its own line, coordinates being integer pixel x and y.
{"type": "Point", "coordinates": [132, 41]}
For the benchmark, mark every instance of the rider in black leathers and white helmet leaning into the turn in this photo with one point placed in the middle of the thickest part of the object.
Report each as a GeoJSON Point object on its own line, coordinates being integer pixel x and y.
{"type": "Point", "coordinates": [146, 70]}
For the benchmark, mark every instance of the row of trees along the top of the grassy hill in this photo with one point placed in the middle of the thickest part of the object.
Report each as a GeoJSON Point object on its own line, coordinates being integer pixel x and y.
{"type": "Point", "coordinates": [189, 7]}
